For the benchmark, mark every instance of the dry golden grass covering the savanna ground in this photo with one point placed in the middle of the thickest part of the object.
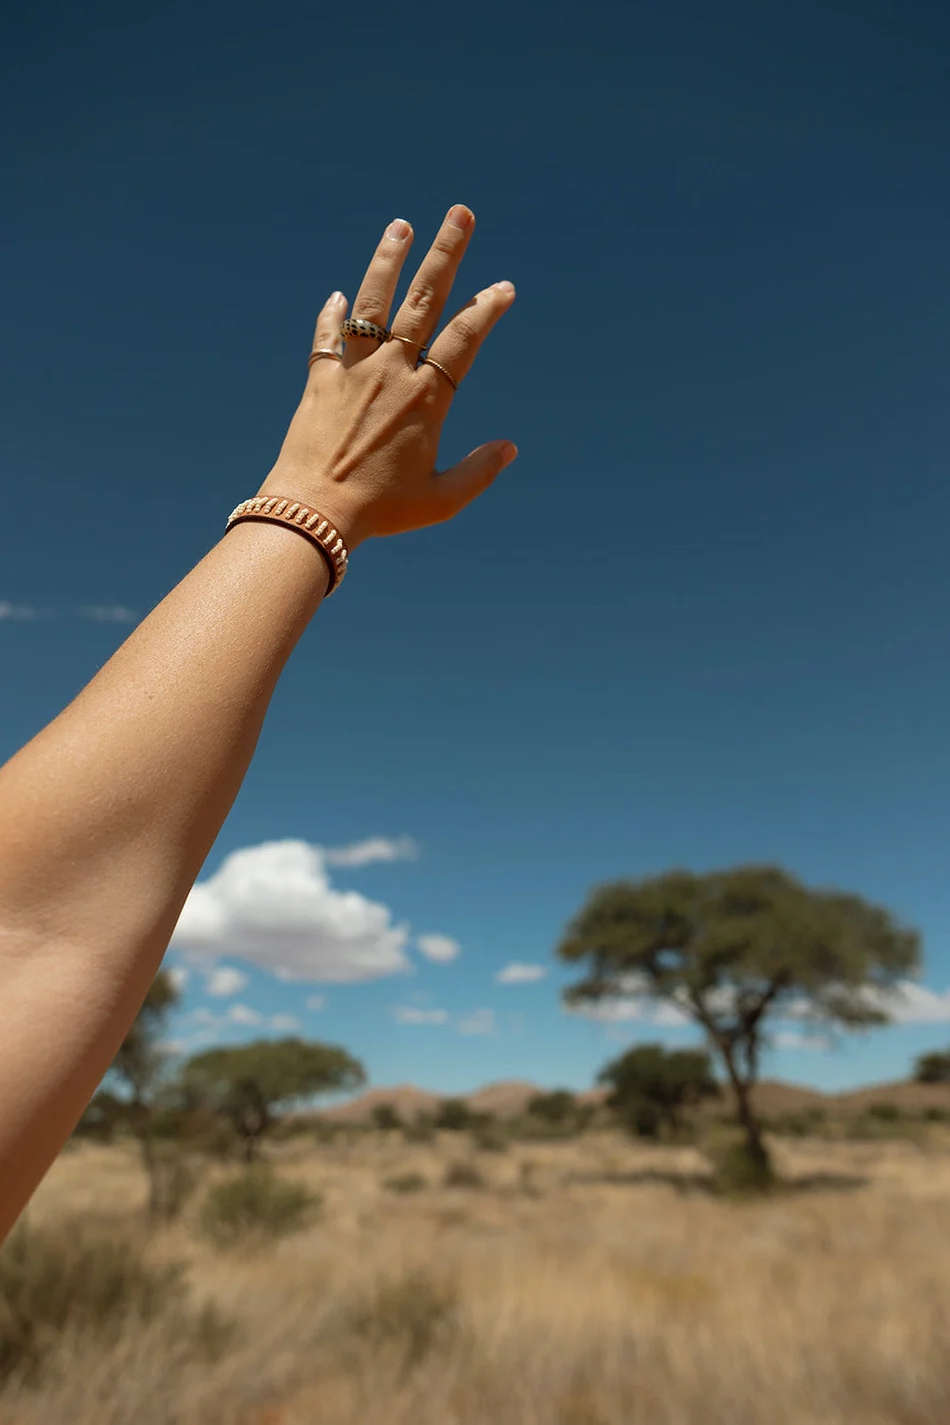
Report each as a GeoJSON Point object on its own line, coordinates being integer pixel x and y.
{"type": "Point", "coordinates": [588, 1283]}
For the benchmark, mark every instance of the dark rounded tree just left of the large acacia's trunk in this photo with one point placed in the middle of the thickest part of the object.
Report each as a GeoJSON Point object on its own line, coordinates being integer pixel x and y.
{"type": "Point", "coordinates": [652, 1087]}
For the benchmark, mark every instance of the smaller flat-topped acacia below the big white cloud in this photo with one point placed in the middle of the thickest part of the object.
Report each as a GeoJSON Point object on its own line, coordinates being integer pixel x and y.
{"type": "Point", "coordinates": [250, 1084]}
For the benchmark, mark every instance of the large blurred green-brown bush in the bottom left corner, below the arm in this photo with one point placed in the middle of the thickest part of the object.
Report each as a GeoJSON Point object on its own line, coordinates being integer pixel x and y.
{"type": "Point", "coordinates": [75, 1279]}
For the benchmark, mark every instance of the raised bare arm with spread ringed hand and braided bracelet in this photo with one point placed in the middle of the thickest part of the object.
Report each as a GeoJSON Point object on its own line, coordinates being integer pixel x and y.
{"type": "Point", "coordinates": [108, 816]}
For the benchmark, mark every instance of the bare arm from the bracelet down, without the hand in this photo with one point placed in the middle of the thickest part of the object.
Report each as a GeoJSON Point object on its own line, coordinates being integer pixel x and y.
{"type": "Point", "coordinates": [108, 817]}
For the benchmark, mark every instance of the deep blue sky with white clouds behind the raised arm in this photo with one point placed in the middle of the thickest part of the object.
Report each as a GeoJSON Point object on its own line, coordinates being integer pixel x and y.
{"type": "Point", "coordinates": [701, 621]}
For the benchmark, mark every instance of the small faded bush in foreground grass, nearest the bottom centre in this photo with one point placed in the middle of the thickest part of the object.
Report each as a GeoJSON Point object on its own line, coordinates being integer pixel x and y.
{"type": "Point", "coordinates": [412, 1315]}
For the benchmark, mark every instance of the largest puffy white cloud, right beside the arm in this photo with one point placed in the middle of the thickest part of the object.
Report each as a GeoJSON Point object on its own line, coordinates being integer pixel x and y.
{"type": "Point", "coordinates": [274, 907]}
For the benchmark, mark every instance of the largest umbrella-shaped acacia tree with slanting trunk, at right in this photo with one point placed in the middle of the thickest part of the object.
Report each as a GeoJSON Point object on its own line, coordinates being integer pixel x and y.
{"type": "Point", "coordinates": [736, 950]}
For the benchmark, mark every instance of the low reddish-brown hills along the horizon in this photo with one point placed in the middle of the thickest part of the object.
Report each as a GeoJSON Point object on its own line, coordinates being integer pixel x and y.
{"type": "Point", "coordinates": [511, 1098]}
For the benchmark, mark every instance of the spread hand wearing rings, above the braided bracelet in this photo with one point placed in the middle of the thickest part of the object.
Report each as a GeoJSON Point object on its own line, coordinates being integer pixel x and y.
{"type": "Point", "coordinates": [364, 442]}
